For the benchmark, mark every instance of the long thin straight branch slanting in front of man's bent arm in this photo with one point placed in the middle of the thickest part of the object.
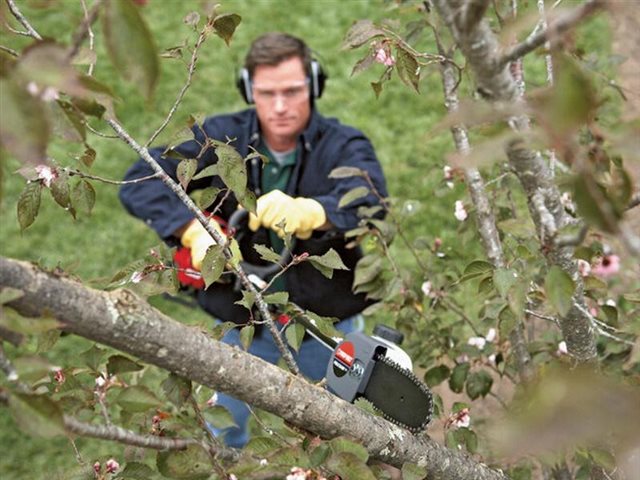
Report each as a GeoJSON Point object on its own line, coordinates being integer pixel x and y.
{"type": "Point", "coordinates": [263, 308]}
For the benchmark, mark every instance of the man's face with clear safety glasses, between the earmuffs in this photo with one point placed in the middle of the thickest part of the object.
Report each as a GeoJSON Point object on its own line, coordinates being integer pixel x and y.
{"type": "Point", "coordinates": [281, 95]}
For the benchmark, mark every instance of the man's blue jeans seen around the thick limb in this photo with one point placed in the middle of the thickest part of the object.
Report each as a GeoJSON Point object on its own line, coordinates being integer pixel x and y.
{"type": "Point", "coordinates": [312, 359]}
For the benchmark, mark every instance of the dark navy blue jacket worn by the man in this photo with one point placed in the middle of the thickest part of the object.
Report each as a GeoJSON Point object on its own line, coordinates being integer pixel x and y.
{"type": "Point", "coordinates": [325, 144]}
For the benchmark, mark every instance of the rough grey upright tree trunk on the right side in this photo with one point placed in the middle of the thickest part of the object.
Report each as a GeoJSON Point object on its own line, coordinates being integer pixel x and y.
{"type": "Point", "coordinates": [482, 50]}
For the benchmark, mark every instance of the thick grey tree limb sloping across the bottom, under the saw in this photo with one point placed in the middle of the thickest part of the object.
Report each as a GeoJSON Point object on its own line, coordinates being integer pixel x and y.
{"type": "Point", "coordinates": [123, 321]}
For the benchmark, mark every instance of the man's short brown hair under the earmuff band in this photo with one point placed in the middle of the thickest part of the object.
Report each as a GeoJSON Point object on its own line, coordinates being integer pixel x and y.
{"type": "Point", "coordinates": [274, 48]}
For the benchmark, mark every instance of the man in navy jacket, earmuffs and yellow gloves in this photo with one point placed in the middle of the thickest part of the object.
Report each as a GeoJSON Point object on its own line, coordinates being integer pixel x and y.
{"type": "Point", "coordinates": [294, 192]}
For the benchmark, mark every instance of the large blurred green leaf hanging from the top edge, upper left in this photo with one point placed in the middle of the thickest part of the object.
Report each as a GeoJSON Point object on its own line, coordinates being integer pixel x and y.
{"type": "Point", "coordinates": [130, 45]}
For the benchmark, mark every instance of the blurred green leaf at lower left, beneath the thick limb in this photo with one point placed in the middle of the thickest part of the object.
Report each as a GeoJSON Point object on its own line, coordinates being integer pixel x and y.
{"type": "Point", "coordinates": [37, 415]}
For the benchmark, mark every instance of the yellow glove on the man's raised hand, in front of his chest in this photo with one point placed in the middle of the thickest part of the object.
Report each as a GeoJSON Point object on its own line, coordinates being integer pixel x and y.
{"type": "Point", "coordinates": [300, 215]}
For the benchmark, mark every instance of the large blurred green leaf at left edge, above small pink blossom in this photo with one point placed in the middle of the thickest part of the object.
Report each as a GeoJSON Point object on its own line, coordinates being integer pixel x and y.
{"type": "Point", "coordinates": [24, 125]}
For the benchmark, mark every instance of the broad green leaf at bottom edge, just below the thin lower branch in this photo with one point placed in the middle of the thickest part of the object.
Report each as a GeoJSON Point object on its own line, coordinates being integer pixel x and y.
{"type": "Point", "coordinates": [193, 463]}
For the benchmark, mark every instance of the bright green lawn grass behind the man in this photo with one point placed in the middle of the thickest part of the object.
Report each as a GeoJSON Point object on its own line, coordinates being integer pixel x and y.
{"type": "Point", "coordinates": [95, 247]}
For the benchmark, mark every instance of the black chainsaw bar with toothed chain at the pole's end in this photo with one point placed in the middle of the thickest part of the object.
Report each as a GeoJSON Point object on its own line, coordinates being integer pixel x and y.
{"type": "Point", "coordinates": [399, 395]}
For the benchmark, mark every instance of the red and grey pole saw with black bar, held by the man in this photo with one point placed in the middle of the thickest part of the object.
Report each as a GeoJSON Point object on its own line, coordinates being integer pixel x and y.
{"type": "Point", "coordinates": [372, 367]}
